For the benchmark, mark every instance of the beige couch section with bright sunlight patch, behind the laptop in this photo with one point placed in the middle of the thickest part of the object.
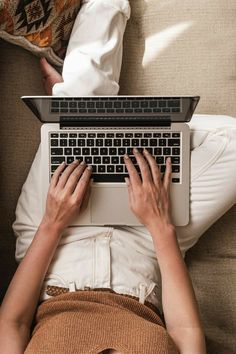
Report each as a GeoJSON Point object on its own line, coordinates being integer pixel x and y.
{"type": "Point", "coordinates": [182, 48]}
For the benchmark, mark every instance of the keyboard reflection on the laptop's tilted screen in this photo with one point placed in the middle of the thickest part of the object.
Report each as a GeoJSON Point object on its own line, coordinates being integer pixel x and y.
{"type": "Point", "coordinates": [108, 105]}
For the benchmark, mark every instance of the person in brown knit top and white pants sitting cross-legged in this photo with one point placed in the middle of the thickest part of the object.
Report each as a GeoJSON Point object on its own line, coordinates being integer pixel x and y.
{"type": "Point", "coordinates": [112, 289]}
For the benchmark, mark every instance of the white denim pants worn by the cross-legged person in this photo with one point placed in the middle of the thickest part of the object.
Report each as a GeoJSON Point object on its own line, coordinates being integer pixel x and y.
{"type": "Point", "coordinates": [123, 258]}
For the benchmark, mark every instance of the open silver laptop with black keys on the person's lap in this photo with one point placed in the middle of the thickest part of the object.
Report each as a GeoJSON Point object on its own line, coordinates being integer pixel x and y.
{"type": "Point", "coordinates": [100, 130]}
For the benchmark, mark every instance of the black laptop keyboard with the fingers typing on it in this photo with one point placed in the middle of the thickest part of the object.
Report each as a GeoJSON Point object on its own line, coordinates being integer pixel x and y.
{"type": "Point", "coordinates": [104, 151]}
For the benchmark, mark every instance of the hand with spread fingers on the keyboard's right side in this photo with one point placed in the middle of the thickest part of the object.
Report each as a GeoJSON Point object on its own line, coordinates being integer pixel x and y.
{"type": "Point", "coordinates": [149, 198]}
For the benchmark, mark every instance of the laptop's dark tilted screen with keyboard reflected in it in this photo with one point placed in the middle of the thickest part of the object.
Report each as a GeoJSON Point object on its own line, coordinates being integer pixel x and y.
{"type": "Point", "coordinates": [120, 110]}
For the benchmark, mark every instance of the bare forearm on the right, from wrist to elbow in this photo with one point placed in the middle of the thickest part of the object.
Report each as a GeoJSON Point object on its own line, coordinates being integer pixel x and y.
{"type": "Point", "coordinates": [178, 298]}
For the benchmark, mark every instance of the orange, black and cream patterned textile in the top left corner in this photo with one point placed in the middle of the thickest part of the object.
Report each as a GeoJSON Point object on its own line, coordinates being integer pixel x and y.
{"type": "Point", "coordinates": [41, 26]}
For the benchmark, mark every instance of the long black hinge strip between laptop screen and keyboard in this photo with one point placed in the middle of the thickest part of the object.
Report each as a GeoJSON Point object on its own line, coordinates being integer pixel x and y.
{"type": "Point", "coordinates": [116, 121]}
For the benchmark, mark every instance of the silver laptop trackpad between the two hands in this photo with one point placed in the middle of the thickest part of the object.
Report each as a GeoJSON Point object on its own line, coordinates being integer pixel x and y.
{"type": "Point", "coordinates": [110, 205]}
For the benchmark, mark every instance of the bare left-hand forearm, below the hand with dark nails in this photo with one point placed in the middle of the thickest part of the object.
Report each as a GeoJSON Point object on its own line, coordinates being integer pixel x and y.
{"type": "Point", "coordinates": [22, 296]}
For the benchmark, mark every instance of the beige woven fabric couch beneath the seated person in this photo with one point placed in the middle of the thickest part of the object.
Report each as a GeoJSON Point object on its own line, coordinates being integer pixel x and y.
{"type": "Point", "coordinates": [171, 47]}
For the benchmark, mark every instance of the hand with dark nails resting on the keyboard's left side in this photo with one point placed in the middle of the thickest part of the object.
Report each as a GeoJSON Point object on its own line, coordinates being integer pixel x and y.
{"type": "Point", "coordinates": [68, 194]}
